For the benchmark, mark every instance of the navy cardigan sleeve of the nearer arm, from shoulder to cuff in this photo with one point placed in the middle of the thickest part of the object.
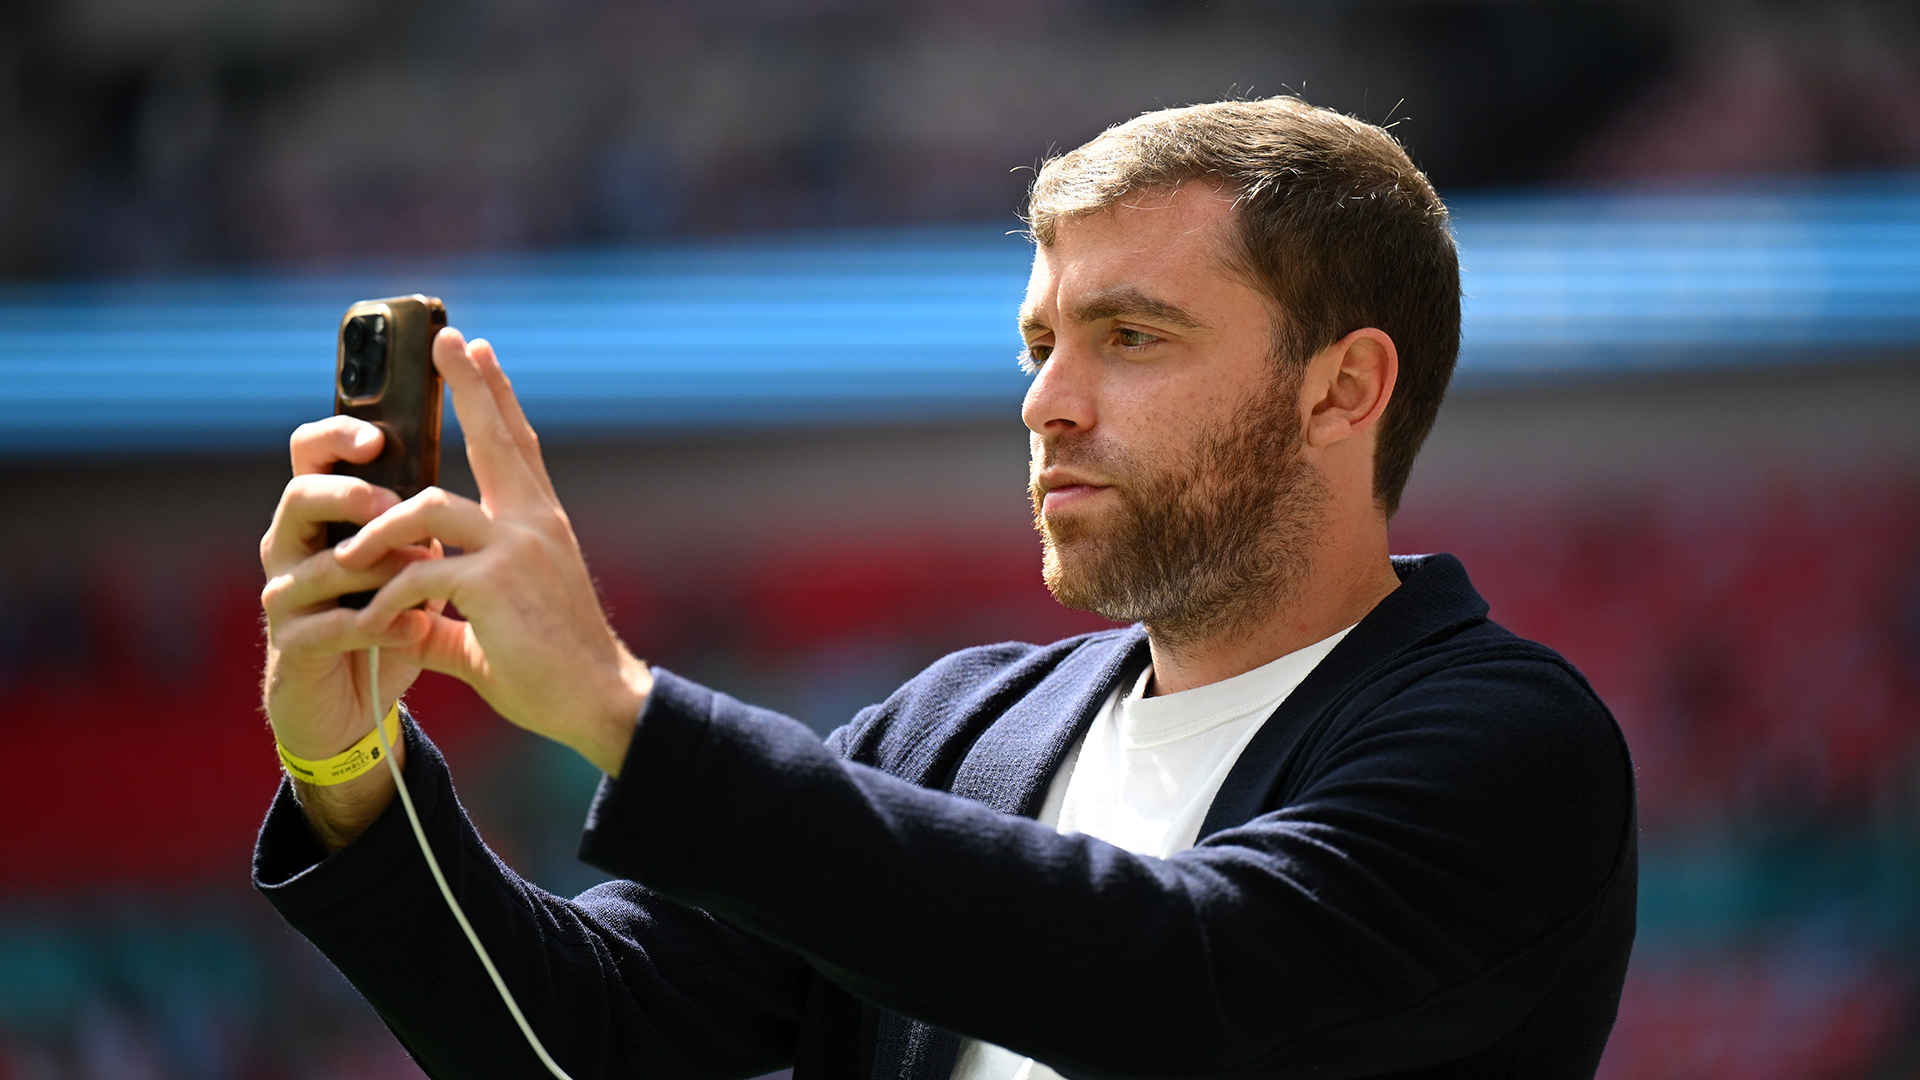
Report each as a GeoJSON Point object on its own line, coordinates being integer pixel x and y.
{"type": "Point", "coordinates": [1410, 904]}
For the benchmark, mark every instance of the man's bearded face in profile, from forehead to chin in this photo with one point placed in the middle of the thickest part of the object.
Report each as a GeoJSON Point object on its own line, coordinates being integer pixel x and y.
{"type": "Point", "coordinates": [1168, 476]}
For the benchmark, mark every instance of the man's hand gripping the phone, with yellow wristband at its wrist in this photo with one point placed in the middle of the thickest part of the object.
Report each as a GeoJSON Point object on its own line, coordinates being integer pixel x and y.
{"type": "Point", "coordinates": [316, 685]}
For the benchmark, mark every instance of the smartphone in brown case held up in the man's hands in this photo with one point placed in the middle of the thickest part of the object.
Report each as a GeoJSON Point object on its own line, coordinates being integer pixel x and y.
{"type": "Point", "coordinates": [385, 374]}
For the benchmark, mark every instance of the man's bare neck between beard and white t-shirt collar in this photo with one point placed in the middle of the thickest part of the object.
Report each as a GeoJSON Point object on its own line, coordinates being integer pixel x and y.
{"type": "Point", "coordinates": [1335, 595]}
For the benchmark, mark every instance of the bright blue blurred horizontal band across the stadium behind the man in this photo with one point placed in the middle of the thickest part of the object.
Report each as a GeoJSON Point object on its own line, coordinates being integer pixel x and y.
{"type": "Point", "coordinates": [921, 326]}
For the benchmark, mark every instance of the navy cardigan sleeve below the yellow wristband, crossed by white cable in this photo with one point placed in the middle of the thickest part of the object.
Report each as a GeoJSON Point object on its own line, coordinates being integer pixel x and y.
{"type": "Point", "coordinates": [617, 983]}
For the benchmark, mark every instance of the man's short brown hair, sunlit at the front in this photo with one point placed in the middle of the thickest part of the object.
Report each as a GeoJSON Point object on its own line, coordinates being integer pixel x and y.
{"type": "Point", "coordinates": [1337, 228]}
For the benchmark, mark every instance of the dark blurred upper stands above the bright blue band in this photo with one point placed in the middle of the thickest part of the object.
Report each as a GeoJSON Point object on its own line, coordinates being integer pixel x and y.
{"type": "Point", "coordinates": [216, 132]}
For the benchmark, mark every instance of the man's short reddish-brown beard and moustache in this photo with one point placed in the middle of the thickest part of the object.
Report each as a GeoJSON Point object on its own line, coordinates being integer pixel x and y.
{"type": "Point", "coordinates": [1203, 547]}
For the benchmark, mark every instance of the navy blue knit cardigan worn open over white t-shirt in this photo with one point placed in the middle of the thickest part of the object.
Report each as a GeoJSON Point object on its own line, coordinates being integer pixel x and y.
{"type": "Point", "coordinates": [1424, 866]}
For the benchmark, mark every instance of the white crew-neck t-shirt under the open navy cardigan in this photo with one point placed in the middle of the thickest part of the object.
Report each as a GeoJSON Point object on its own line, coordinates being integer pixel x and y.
{"type": "Point", "coordinates": [1143, 779]}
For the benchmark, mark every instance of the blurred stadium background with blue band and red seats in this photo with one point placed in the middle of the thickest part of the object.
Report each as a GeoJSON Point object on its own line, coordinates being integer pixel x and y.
{"type": "Point", "coordinates": [752, 268]}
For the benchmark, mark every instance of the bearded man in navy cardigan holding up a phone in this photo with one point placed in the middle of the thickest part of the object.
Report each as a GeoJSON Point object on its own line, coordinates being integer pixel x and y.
{"type": "Point", "coordinates": [1312, 816]}
